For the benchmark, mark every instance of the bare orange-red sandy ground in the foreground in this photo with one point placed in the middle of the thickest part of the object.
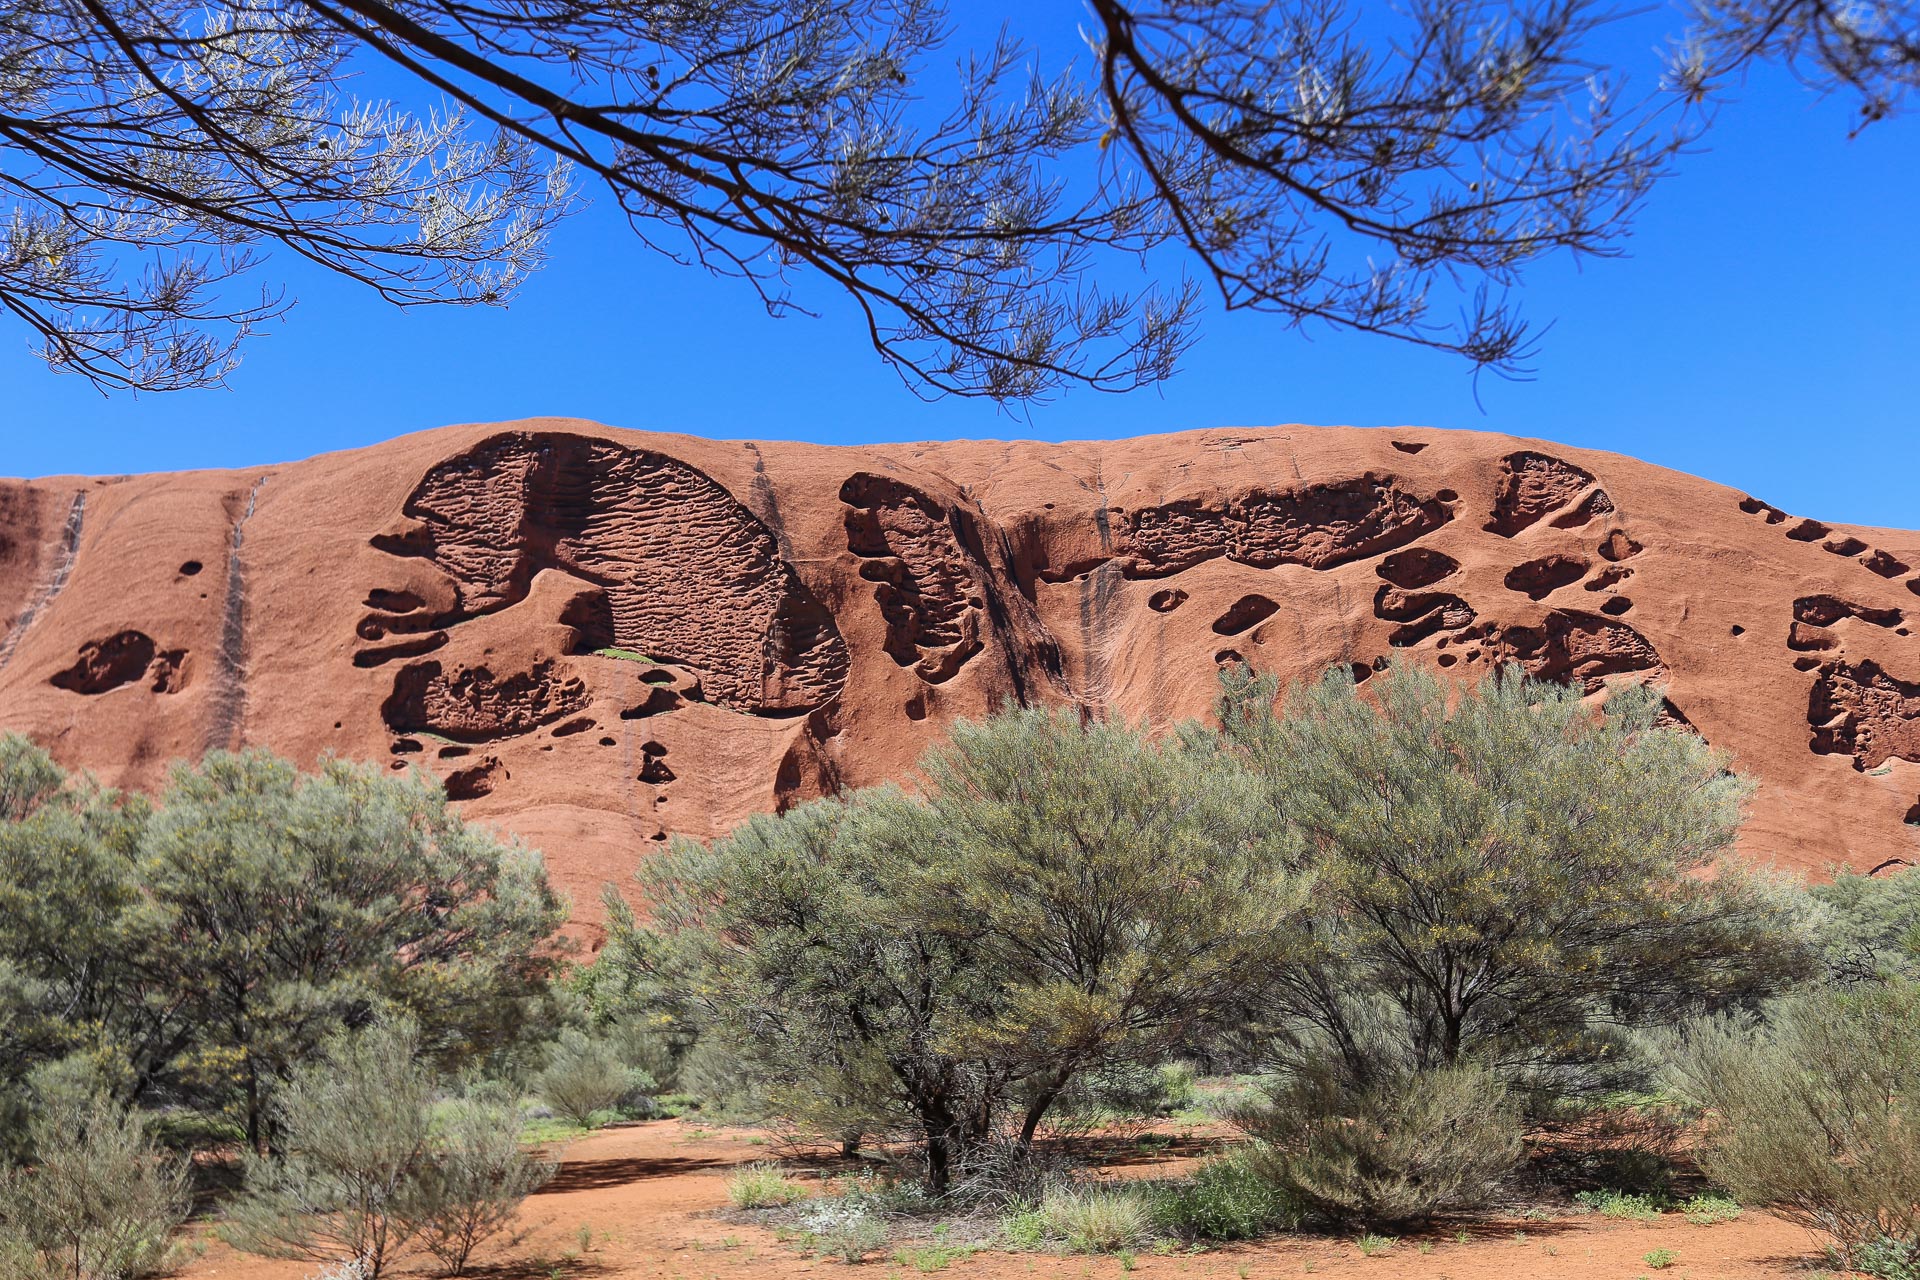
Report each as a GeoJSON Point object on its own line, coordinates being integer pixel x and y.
{"type": "Point", "coordinates": [656, 1195]}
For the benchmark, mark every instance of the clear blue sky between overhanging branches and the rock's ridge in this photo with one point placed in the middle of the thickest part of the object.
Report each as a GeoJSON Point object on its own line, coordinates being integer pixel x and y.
{"type": "Point", "coordinates": [1765, 333]}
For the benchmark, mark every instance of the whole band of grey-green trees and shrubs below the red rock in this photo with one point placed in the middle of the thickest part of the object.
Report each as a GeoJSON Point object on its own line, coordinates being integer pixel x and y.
{"type": "Point", "coordinates": [1416, 922]}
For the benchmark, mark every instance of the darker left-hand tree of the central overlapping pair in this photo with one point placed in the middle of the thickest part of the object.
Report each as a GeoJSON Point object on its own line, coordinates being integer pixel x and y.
{"type": "Point", "coordinates": [784, 941]}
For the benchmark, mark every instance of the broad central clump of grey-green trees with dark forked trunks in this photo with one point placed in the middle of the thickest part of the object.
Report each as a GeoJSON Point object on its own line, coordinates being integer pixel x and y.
{"type": "Point", "coordinates": [1065, 899]}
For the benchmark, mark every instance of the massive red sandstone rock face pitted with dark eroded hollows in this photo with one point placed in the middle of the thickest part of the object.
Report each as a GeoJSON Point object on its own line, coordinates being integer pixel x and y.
{"type": "Point", "coordinates": [600, 638]}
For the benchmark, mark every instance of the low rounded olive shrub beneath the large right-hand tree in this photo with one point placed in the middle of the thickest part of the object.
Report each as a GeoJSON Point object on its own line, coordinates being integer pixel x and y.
{"type": "Point", "coordinates": [1433, 1141]}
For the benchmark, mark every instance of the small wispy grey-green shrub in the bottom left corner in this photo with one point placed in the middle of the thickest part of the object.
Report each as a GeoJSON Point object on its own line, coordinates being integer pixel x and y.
{"type": "Point", "coordinates": [99, 1202]}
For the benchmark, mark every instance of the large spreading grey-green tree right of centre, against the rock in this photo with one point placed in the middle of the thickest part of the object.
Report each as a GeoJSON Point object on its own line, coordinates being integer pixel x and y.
{"type": "Point", "coordinates": [1504, 874]}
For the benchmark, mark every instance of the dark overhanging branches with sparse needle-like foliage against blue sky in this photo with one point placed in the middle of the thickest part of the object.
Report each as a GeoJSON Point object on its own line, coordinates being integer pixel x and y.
{"type": "Point", "coordinates": [1312, 160]}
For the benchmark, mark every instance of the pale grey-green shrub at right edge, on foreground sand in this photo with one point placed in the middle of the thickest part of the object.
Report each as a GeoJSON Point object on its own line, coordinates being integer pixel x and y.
{"type": "Point", "coordinates": [1817, 1116]}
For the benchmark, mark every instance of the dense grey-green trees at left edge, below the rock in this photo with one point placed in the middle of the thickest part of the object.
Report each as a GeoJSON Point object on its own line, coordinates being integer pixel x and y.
{"type": "Point", "coordinates": [201, 947]}
